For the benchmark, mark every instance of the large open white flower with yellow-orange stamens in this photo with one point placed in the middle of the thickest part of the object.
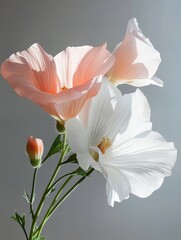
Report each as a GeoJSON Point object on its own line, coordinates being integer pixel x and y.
{"type": "Point", "coordinates": [113, 134]}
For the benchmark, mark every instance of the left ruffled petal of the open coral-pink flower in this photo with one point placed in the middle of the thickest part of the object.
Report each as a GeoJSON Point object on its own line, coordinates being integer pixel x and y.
{"type": "Point", "coordinates": [31, 73]}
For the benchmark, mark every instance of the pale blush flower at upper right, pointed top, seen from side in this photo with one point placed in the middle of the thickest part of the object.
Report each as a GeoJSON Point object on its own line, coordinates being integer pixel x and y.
{"type": "Point", "coordinates": [136, 60]}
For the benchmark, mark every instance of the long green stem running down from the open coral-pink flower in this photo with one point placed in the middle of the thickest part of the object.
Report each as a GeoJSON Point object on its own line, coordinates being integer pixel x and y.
{"type": "Point", "coordinates": [47, 188]}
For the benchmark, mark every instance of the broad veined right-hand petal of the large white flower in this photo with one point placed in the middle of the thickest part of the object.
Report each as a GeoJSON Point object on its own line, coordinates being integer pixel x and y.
{"type": "Point", "coordinates": [145, 160]}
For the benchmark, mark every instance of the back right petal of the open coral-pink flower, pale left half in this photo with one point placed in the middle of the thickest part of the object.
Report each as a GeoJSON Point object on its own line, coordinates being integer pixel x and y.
{"type": "Point", "coordinates": [77, 65]}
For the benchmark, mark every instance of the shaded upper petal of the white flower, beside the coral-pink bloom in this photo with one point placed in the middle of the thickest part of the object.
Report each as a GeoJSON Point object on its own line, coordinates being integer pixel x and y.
{"type": "Point", "coordinates": [107, 113]}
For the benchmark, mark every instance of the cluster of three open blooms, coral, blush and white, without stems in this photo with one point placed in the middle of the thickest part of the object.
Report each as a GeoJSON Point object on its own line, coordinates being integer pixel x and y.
{"type": "Point", "coordinates": [108, 131]}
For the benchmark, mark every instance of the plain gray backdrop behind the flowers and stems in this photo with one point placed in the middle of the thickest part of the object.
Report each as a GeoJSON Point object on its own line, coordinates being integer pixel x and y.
{"type": "Point", "coordinates": [56, 24]}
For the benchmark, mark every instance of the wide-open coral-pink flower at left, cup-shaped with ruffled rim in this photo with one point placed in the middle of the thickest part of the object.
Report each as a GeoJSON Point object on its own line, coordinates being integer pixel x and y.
{"type": "Point", "coordinates": [62, 84]}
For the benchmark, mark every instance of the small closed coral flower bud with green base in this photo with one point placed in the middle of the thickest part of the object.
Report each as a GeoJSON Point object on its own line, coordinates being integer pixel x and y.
{"type": "Point", "coordinates": [34, 149]}
